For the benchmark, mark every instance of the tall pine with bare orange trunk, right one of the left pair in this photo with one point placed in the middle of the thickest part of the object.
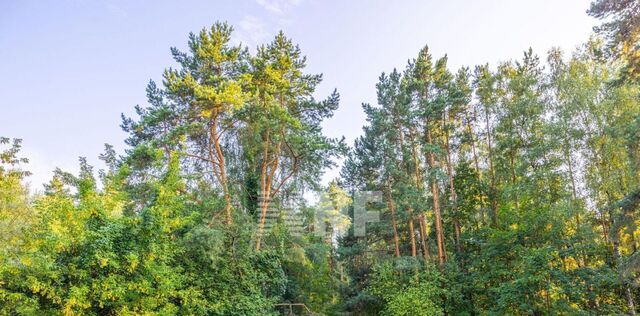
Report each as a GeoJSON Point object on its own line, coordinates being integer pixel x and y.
{"type": "Point", "coordinates": [283, 134]}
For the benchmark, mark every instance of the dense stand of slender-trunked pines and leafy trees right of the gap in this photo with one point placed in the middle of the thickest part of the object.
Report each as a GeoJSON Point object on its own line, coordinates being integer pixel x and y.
{"type": "Point", "coordinates": [508, 190]}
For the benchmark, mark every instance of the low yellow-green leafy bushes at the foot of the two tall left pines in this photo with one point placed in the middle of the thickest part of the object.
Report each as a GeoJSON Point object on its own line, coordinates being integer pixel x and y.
{"type": "Point", "coordinates": [83, 256]}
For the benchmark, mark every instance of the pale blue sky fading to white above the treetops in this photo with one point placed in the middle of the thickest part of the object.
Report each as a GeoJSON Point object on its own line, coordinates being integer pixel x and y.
{"type": "Point", "coordinates": [69, 68]}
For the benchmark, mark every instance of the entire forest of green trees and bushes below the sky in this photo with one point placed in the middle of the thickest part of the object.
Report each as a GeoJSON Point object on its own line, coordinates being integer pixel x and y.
{"type": "Point", "coordinates": [509, 190]}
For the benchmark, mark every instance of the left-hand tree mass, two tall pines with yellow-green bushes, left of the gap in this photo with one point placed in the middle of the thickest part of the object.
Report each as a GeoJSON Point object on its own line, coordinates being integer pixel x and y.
{"type": "Point", "coordinates": [178, 224]}
